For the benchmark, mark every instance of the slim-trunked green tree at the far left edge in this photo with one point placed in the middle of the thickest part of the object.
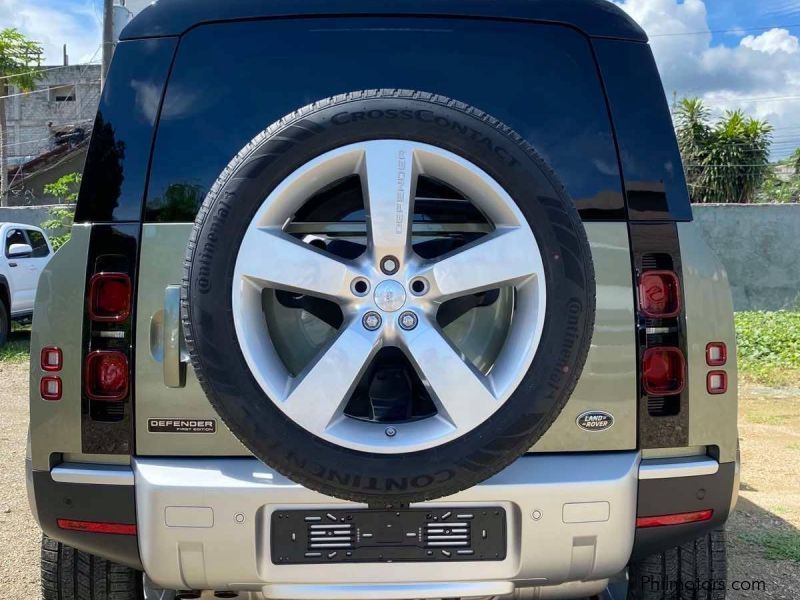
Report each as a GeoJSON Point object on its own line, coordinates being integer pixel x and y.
{"type": "Point", "coordinates": [20, 61]}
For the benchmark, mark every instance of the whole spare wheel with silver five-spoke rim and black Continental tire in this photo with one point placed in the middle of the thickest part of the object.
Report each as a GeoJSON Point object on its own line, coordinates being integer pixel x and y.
{"type": "Point", "coordinates": [388, 296]}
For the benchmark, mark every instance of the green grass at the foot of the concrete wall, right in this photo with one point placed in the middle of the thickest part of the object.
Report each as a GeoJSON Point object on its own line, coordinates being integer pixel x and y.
{"type": "Point", "coordinates": [769, 347]}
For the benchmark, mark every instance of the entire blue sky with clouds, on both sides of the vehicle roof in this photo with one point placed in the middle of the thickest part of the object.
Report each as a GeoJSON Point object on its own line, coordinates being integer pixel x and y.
{"type": "Point", "coordinates": [753, 63]}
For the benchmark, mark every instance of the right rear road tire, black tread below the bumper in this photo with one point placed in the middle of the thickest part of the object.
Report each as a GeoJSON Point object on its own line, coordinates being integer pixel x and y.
{"type": "Point", "coordinates": [696, 570]}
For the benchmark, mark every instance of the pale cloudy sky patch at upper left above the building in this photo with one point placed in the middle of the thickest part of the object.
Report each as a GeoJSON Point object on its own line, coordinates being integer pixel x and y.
{"type": "Point", "coordinates": [54, 24]}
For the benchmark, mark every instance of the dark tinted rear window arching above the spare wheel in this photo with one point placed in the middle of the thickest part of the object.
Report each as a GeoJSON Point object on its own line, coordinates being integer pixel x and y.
{"type": "Point", "coordinates": [231, 81]}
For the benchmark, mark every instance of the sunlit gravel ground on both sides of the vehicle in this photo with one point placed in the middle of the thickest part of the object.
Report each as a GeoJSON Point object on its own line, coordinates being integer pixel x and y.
{"type": "Point", "coordinates": [769, 426]}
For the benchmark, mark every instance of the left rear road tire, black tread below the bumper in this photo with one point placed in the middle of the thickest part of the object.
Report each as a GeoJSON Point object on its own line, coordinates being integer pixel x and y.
{"type": "Point", "coordinates": [69, 574]}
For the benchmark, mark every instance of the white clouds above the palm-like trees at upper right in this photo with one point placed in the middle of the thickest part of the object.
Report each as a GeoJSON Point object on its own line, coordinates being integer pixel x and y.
{"type": "Point", "coordinates": [760, 74]}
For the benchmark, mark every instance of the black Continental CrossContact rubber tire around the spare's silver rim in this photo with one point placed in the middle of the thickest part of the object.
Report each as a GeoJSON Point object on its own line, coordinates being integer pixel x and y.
{"type": "Point", "coordinates": [260, 424]}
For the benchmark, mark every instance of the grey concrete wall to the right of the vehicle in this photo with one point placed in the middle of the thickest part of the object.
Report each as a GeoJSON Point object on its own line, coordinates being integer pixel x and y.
{"type": "Point", "coordinates": [759, 244]}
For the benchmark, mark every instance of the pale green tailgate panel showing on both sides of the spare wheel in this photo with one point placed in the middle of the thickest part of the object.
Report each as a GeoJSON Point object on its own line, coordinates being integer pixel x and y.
{"type": "Point", "coordinates": [608, 382]}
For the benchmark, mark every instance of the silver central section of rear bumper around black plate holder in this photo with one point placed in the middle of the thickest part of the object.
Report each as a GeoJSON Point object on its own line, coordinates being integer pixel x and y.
{"type": "Point", "coordinates": [234, 500]}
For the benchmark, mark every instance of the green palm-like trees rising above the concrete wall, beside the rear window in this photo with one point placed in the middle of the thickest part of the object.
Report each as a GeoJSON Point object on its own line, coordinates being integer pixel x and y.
{"type": "Point", "coordinates": [726, 161]}
